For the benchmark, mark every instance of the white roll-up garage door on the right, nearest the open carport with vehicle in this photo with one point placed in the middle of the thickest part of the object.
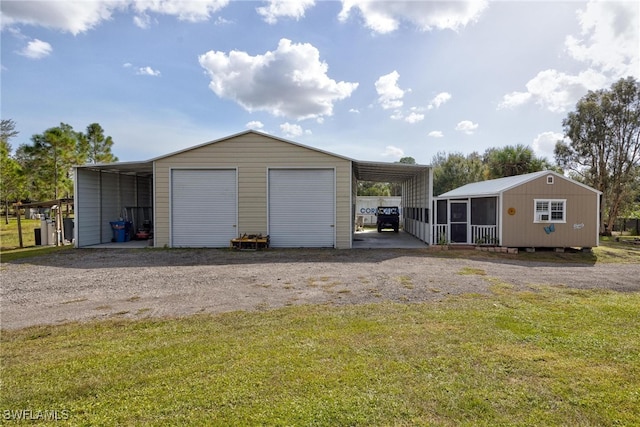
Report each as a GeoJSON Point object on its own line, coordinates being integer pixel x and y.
{"type": "Point", "coordinates": [302, 208]}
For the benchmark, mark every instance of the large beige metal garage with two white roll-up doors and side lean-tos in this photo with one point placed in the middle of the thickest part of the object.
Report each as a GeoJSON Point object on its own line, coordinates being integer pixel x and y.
{"type": "Point", "coordinates": [250, 183]}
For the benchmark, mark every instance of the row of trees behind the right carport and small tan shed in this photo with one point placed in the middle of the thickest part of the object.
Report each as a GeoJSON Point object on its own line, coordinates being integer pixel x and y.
{"type": "Point", "coordinates": [601, 149]}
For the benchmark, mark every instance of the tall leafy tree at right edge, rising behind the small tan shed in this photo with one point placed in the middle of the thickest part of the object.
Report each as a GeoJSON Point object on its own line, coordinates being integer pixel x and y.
{"type": "Point", "coordinates": [604, 147]}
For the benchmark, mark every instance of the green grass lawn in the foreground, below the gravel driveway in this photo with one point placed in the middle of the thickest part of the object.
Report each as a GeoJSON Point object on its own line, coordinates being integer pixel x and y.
{"type": "Point", "coordinates": [554, 356]}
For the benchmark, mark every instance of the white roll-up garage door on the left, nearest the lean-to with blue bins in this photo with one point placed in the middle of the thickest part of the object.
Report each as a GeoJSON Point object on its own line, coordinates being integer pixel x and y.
{"type": "Point", "coordinates": [203, 207]}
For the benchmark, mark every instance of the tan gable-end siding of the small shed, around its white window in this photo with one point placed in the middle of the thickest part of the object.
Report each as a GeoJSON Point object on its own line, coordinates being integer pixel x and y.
{"type": "Point", "coordinates": [580, 229]}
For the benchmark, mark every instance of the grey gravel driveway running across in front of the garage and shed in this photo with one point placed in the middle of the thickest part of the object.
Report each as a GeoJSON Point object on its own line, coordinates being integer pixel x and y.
{"type": "Point", "coordinates": [86, 284]}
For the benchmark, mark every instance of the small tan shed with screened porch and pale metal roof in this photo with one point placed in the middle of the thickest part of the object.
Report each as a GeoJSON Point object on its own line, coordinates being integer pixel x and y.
{"type": "Point", "coordinates": [540, 209]}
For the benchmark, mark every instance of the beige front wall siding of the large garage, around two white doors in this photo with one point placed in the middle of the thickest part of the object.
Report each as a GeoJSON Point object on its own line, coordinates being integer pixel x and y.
{"type": "Point", "coordinates": [253, 155]}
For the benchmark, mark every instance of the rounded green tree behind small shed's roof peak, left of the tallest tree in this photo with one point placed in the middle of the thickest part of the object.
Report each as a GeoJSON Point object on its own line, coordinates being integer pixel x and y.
{"type": "Point", "coordinates": [512, 160]}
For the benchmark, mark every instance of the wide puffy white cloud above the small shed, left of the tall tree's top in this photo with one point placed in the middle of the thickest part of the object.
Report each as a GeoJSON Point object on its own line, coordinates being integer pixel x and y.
{"type": "Point", "coordinates": [555, 91]}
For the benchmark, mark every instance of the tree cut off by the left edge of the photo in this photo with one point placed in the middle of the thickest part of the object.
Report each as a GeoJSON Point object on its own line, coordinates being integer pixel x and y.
{"type": "Point", "coordinates": [10, 171]}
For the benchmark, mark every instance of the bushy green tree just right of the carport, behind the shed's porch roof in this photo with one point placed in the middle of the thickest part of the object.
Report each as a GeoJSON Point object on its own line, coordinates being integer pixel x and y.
{"type": "Point", "coordinates": [455, 169]}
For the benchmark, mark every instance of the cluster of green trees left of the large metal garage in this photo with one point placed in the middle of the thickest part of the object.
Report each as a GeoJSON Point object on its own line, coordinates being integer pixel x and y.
{"type": "Point", "coordinates": [42, 169]}
